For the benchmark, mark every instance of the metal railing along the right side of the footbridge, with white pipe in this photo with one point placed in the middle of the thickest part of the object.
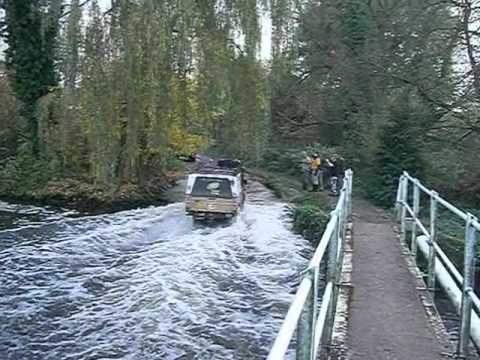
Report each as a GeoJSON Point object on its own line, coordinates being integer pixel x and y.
{"type": "Point", "coordinates": [460, 289]}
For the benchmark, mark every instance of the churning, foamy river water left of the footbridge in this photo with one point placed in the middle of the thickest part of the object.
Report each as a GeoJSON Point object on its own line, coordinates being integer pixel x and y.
{"type": "Point", "coordinates": [145, 284]}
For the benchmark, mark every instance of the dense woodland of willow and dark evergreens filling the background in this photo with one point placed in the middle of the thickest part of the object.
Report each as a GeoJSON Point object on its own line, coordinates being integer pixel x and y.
{"type": "Point", "coordinates": [110, 96]}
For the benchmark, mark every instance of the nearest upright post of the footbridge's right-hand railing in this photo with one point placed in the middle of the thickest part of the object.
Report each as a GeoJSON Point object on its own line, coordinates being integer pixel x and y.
{"type": "Point", "coordinates": [468, 285]}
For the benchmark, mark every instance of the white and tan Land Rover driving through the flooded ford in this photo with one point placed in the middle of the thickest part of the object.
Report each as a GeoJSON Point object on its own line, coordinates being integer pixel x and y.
{"type": "Point", "coordinates": [215, 190]}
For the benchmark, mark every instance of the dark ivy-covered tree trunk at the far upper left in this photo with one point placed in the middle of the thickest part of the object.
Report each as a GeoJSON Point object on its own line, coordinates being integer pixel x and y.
{"type": "Point", "coordinates": [31, 31]}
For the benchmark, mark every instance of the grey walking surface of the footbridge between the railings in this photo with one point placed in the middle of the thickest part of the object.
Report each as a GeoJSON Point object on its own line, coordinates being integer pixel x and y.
{"type": "Point", "coordinates": [388, 320]}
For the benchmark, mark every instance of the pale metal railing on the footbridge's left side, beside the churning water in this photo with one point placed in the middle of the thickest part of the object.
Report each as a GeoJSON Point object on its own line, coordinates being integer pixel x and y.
{"type": "Point", "coordinates": [313, 324]}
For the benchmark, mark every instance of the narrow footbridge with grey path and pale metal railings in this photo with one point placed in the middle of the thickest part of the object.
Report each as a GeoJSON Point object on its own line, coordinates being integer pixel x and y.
{"type": "Point", "coordinates": [369, 290]}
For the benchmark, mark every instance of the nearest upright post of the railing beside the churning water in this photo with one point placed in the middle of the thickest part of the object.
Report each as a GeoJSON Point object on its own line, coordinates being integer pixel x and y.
{"type": "Point", "coordinates": [305, 329]}
